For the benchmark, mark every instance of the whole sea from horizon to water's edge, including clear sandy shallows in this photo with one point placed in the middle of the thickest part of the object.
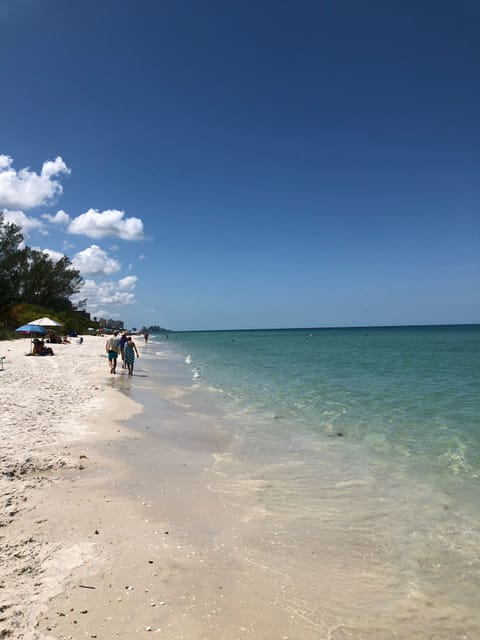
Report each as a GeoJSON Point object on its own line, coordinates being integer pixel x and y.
{"type": "Point", "coordinates": [354, 463]}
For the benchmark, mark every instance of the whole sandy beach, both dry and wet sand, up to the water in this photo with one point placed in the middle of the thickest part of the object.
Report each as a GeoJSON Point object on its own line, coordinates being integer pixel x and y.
{"type": "Point", "coordinates": [110, 527]}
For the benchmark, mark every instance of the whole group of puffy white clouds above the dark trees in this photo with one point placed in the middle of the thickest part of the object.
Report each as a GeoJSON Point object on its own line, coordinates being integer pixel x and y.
{"type": "Point", "coordinates": [24, 190]}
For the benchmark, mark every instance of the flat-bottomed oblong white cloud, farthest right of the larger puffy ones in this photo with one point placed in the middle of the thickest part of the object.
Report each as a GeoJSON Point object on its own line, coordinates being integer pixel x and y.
{"type": "Point", "coordinates": [109, 223]}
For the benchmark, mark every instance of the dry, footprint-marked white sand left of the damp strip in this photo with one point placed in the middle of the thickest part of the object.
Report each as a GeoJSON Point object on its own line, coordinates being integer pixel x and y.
{"type": "Point", "coordinates": [51, 409]}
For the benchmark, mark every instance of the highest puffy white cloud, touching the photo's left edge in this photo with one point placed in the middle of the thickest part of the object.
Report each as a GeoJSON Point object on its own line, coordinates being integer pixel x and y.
{"type": "Point", "coordinates": [26, 189]}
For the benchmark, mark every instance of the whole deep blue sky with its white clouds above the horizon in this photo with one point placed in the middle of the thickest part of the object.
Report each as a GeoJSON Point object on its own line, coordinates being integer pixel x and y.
{"type": "Point", "coordinates": [249, 164]}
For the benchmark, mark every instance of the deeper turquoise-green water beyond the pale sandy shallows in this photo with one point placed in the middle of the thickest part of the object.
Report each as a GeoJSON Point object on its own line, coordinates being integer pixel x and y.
{"type": "Point", "coordinates": [411, 392]}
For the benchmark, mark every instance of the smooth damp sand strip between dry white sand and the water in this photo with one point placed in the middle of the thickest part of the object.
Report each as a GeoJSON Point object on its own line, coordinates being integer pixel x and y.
{"type": "Point", "coordinates": [167, 560]}
